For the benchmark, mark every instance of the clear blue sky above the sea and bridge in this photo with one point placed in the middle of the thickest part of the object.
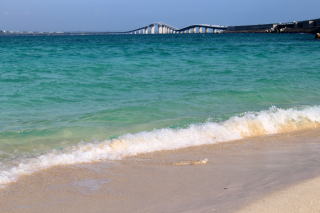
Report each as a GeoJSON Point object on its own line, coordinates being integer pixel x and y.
{"type": "Point", "coordinates": [121, 15]}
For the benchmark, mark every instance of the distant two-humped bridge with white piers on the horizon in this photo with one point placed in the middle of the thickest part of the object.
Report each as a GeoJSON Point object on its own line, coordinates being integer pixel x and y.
{"type": "Point", "coordinates": [161, 28]}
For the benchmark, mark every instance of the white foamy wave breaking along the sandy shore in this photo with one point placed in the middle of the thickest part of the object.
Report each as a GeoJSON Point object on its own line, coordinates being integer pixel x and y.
{"type": "Point", "coordinates": [250, 124]}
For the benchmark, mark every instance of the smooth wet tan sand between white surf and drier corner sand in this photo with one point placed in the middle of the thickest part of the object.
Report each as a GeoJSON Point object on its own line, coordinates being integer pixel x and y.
{"type": "Point", "coordinates": [236, 175]}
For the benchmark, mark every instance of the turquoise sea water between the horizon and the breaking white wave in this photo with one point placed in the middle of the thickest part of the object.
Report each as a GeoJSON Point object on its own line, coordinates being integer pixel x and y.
{"type": "Point", "coordinates": [59, 91]}
